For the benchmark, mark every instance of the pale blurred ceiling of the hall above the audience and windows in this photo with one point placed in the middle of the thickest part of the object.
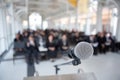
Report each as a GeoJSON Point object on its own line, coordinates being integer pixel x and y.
{"type": "Point", "coordinates": [46, 8]}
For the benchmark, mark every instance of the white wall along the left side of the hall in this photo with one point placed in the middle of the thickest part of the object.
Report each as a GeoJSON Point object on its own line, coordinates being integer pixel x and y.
{"type": "Point", "coordinates": [9, 26]}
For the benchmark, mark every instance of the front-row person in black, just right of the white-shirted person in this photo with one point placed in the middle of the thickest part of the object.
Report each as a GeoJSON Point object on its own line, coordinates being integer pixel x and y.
{"type": "Point", "coordinates": [51, 45]}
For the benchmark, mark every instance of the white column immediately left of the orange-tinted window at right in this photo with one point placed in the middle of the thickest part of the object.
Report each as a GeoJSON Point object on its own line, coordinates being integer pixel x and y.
{"type": "Point", "coordinates": [99, 27]}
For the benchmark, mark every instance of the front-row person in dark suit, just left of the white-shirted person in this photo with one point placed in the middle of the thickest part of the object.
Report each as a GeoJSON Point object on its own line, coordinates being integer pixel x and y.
{"type": "Point", "coordinates": [32, 50]}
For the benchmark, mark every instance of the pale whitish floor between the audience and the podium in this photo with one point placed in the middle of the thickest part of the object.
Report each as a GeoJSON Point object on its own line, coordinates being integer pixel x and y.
{"type": "Point", "coordinates": [105, 67]}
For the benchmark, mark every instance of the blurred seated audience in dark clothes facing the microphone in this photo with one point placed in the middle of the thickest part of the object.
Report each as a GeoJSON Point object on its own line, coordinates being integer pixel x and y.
{"type": "Point", "coordinates": [52, 43]}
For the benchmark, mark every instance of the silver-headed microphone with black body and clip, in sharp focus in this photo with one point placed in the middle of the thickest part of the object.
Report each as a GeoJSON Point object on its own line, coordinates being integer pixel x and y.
{"type": "Point", "coordinates": [82, 51]}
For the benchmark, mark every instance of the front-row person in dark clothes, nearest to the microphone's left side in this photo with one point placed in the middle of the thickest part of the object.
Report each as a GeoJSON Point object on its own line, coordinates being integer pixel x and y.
{"type": "Point", "coordinates": [64, 44]}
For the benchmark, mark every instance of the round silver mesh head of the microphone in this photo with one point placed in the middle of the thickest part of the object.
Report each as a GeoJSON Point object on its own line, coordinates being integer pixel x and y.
{"type": "Point", "coordinates": [83, 50]}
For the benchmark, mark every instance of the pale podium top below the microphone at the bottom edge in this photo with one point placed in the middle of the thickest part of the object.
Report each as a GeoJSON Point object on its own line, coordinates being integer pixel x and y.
{"type": "Point", "coordinates": [81, 76]}
